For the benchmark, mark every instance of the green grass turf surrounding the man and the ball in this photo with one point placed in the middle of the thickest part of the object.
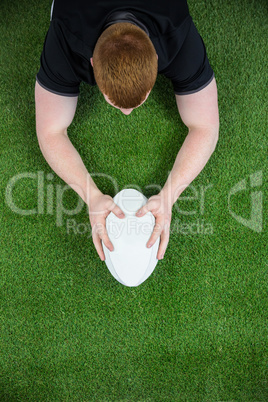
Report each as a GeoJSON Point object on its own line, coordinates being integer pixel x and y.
{"type": "Point", "coordinates": [196, 330]}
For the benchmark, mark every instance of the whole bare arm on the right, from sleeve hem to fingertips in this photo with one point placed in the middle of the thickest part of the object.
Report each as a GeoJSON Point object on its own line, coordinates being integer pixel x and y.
{"type": "Point", "coordinates": [199, 112]}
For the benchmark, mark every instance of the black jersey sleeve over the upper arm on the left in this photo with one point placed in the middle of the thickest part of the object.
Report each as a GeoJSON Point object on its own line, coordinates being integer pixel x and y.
{"type": "Point", "coordinates": [57, 64]}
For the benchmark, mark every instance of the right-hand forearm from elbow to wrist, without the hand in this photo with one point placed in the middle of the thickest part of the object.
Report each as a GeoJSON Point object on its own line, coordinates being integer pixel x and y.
{"type": "Point", "coordinates": [195, 152]}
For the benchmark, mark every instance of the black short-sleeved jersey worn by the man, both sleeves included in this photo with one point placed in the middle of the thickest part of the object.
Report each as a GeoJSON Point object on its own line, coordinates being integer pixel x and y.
{"type": "Point", "coordinates": [75, 27]}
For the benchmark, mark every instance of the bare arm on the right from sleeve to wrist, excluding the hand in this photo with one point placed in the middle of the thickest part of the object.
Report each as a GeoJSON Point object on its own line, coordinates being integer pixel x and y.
{"type": "Point", "coordinates": [199, 112]}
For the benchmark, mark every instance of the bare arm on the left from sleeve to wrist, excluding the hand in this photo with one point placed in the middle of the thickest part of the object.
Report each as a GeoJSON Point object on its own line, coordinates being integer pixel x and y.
{"type": "Point", "coordinates": [54, 114]}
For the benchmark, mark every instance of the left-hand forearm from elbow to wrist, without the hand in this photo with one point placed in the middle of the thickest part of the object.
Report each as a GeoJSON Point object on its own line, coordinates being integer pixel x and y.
{"type": "Point", "coordinates": [64, 159]}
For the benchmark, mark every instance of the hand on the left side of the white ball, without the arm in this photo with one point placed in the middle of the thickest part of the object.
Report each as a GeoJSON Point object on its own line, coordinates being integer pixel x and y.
{"type": "Point", "coordinates": [100, 206]}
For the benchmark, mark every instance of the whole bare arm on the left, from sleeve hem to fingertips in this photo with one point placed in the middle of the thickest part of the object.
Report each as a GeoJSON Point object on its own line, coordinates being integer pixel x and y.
{"type": "Point", "coordinates": [54, 114]}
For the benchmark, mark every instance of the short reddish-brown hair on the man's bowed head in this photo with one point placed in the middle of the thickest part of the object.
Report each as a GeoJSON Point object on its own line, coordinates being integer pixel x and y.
{"type": "Point", "coordinates": [125, 64]}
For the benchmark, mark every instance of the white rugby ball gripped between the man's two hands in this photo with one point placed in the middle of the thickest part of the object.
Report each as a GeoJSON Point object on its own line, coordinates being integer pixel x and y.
{"type": "Point", "coordinates": [131, 262]}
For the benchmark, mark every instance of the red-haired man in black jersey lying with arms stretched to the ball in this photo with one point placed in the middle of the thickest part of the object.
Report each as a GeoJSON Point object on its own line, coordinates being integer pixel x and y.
{"type": "Point", "coordinates": [121, 46]}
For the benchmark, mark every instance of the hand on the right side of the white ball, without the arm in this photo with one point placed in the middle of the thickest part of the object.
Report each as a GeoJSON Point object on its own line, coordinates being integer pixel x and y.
{"type": "Point", "coordinates": [162, 211]}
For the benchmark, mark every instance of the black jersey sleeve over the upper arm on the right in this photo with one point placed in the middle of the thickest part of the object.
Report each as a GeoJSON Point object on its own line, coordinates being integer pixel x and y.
{"type": "Point", "coordinates": [190, 70]}
